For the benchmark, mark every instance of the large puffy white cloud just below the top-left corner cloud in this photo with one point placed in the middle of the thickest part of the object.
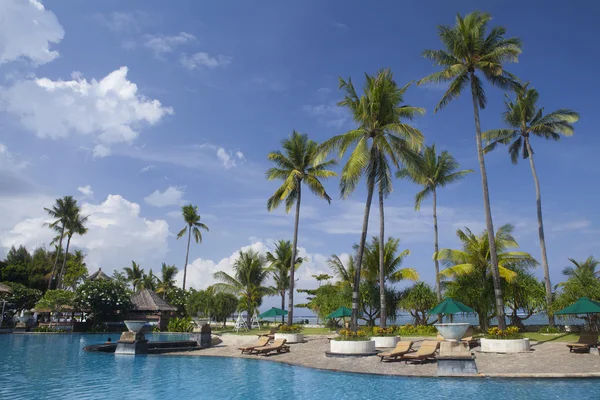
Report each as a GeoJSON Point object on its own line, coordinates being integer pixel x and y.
{"type": "Point", "coordinates": [111, 110]}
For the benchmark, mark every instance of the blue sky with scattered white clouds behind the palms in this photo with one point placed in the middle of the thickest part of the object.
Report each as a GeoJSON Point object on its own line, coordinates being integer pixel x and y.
{"type": "Point", "coordinates": [136, 108]}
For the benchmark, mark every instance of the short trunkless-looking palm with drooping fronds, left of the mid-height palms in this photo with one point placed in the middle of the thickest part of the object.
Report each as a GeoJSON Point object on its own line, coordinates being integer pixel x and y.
{"type": "Point", "coordinates": [248, 282]}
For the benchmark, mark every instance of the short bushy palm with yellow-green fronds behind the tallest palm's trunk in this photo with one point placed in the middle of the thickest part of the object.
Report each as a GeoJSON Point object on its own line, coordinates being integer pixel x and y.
{"type": "Point", "coordinates": [471, 267]}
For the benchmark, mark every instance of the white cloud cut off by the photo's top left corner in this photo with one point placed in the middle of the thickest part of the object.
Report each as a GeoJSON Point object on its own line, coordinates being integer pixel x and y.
{"type": "Point", "coordinates": [27, 31]}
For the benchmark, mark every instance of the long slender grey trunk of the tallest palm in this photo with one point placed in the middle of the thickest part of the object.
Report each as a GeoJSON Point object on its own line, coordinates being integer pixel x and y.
{"type": "Point", "coordinates": [488, 213]}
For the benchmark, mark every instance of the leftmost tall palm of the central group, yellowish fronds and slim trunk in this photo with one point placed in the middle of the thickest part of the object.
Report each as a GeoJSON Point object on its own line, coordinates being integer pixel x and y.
{"type": "Point", "coordinates": [297, 164]}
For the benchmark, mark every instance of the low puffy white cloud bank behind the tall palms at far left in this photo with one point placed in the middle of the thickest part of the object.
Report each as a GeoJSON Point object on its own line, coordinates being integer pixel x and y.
{"type": "Point", "coordinates": [117, 233]}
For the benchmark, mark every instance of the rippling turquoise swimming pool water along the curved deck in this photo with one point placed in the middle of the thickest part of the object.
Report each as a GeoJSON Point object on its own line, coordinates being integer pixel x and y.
{"type": "Point", "coordinates": [55, 366]}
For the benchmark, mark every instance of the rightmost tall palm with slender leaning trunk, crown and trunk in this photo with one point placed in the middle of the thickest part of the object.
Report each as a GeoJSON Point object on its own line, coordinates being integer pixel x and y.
{"type": "Point", "coordinates": [525, 119]}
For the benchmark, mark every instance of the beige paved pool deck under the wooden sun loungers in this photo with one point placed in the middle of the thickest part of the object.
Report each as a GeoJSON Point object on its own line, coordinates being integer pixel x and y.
{"type": "Point", "coordinates": [546, 360]}
